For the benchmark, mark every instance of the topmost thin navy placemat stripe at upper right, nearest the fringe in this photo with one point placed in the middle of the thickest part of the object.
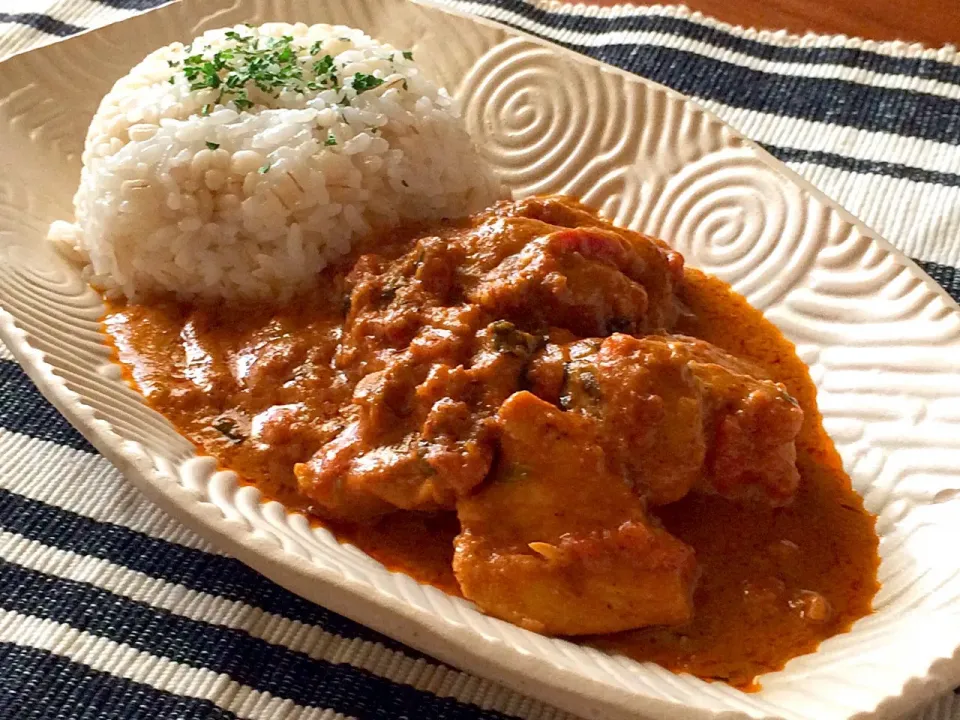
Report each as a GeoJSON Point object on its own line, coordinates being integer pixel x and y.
{"type": "Point", "coordinates": [681, 27]}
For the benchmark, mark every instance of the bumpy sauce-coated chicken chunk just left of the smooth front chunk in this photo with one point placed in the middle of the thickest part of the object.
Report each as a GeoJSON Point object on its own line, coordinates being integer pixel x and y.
{"type": "Point", "coordinates": [419, 434]}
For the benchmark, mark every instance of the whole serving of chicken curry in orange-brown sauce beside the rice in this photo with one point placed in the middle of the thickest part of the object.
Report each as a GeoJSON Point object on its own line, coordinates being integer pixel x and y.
{"type": "Point", "coordinates": [544, 413]}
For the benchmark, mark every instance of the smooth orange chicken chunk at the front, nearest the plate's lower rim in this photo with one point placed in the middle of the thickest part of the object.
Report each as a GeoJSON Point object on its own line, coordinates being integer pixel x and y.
{"type": "Point", "coordinates": [557, 543]}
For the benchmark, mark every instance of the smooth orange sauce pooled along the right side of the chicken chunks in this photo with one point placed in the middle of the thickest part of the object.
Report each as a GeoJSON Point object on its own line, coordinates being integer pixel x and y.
{"type": "Point", "coordinates": [765, 573]}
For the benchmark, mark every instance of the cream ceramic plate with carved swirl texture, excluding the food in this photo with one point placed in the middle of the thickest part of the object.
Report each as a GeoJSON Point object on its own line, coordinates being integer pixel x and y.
{"type": "Point", "coordinates": [882, 340]}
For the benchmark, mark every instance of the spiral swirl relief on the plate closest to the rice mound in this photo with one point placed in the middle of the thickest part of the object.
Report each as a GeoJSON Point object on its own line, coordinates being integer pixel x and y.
{"type": "Point", "coordinates": [551, 122]}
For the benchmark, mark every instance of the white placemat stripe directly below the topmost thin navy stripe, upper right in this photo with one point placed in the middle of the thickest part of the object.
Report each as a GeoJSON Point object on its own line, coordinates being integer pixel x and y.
{"type": "Point", "coordinates": [818, 71]}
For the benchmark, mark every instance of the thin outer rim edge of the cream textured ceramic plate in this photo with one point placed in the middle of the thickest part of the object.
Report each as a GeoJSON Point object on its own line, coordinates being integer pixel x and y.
{"type": "Point", "coordinates": [526, 674]}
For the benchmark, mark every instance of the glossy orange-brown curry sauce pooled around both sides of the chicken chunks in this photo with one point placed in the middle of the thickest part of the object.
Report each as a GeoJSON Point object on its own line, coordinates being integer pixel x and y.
{"type": "Point", "coordinates": [775, 578]}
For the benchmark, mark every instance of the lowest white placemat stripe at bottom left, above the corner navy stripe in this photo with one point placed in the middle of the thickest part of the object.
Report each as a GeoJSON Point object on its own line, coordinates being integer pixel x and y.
{"type": "Point", "coordinates": [103, 655]}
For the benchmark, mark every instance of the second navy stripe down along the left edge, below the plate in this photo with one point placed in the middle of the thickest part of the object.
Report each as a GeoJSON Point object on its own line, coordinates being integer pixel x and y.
{"type": "Point", "coordinates": [204, 572]}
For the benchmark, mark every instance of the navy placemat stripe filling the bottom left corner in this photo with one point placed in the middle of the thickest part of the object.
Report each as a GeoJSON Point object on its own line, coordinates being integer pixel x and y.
{"type": "Point", "coordinates": [38, 685]}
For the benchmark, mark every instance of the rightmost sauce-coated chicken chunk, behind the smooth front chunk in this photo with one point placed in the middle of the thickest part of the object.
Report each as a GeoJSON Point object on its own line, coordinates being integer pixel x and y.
{"type": "Point", "coordinates": [678, 414]}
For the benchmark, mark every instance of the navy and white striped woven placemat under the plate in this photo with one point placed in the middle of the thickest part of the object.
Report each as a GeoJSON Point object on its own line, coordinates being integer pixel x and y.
{"type": "Point", "coordinates": [108, 609]}
